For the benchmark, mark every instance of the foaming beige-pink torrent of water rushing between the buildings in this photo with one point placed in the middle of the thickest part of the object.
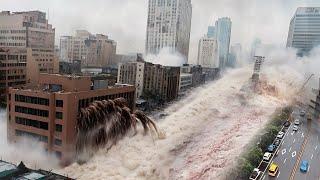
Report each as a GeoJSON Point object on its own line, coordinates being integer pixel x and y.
{"type": "Point", "coordinates": [205, 133]}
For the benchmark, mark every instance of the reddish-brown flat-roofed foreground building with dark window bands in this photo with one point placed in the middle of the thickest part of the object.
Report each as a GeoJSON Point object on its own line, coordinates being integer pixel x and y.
{"type": "Point", "coordinates": [48, 112]}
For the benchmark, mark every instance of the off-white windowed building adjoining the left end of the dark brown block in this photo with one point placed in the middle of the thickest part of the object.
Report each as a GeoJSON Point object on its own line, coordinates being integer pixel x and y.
{"type": "Point", "coordinates": [132, 73]}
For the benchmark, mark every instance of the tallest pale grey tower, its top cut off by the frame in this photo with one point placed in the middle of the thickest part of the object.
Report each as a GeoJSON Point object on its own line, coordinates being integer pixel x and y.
{"type": "Point", "coordinates": [169, 25]}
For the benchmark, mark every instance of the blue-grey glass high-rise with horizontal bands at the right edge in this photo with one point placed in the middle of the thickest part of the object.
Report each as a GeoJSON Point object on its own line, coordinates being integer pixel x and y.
{"type": "Point", "coordinates": [304, 30]}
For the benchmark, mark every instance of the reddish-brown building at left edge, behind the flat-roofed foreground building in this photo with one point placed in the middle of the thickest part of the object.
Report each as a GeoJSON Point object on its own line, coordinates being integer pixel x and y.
{"type": "Point", "coordinates": [12, 69]}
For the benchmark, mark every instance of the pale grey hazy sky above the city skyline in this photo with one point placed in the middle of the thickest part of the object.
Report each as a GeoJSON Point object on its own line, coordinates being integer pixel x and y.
{"type": "Point", "coordinates": [125, 20]}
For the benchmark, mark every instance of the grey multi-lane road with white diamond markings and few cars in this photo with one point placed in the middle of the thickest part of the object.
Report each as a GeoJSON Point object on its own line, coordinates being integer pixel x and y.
{"type": "Point", "coordinates": [298, 146]}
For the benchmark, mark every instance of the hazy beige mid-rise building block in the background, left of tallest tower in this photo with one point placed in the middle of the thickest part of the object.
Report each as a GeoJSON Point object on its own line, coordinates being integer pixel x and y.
{"type": "Point", "coordinates": [92, 50]}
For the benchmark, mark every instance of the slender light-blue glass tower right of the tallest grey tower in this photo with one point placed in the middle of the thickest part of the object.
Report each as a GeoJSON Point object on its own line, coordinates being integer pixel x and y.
{"type": "Point", "coordinates": [223, 35]}
